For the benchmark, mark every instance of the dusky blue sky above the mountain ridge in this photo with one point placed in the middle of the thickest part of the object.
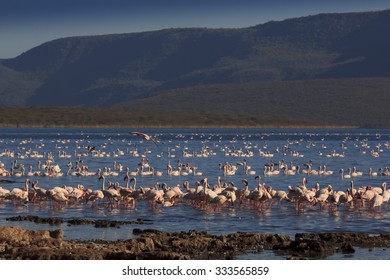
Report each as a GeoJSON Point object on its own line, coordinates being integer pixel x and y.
{"type": "Point", "coordinates": [28, 23]}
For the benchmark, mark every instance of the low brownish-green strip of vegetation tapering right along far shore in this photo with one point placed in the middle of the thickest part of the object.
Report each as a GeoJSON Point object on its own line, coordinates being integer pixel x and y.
{"type": "Point", "coordinates": [97, 117]}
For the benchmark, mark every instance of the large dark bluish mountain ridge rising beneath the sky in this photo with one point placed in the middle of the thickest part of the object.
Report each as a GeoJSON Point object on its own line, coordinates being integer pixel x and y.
{"type": "Point", "coordinates": [140, 69]}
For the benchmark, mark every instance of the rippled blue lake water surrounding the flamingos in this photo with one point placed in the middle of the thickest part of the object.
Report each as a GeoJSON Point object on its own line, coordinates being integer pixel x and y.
{"type": "Point", "coordinates": [350, 148]}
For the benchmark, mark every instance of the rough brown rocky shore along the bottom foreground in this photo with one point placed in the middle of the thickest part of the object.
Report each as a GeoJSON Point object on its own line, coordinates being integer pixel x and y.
{"type": "Point", "coordinates": [18, 243]}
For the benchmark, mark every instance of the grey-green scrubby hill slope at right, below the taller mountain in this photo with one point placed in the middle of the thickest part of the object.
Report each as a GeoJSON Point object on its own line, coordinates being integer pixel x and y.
{"type": "Point", "coordinates": [340, 102]}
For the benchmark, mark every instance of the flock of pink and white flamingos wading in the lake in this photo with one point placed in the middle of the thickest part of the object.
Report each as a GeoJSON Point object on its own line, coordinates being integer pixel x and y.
{"type": "Point", "coordinates": [118, 185]}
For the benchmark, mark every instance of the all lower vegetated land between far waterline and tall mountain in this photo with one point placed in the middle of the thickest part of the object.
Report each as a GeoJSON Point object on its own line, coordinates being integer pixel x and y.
{"type": "Point", "coordinates": [319, 103]}
